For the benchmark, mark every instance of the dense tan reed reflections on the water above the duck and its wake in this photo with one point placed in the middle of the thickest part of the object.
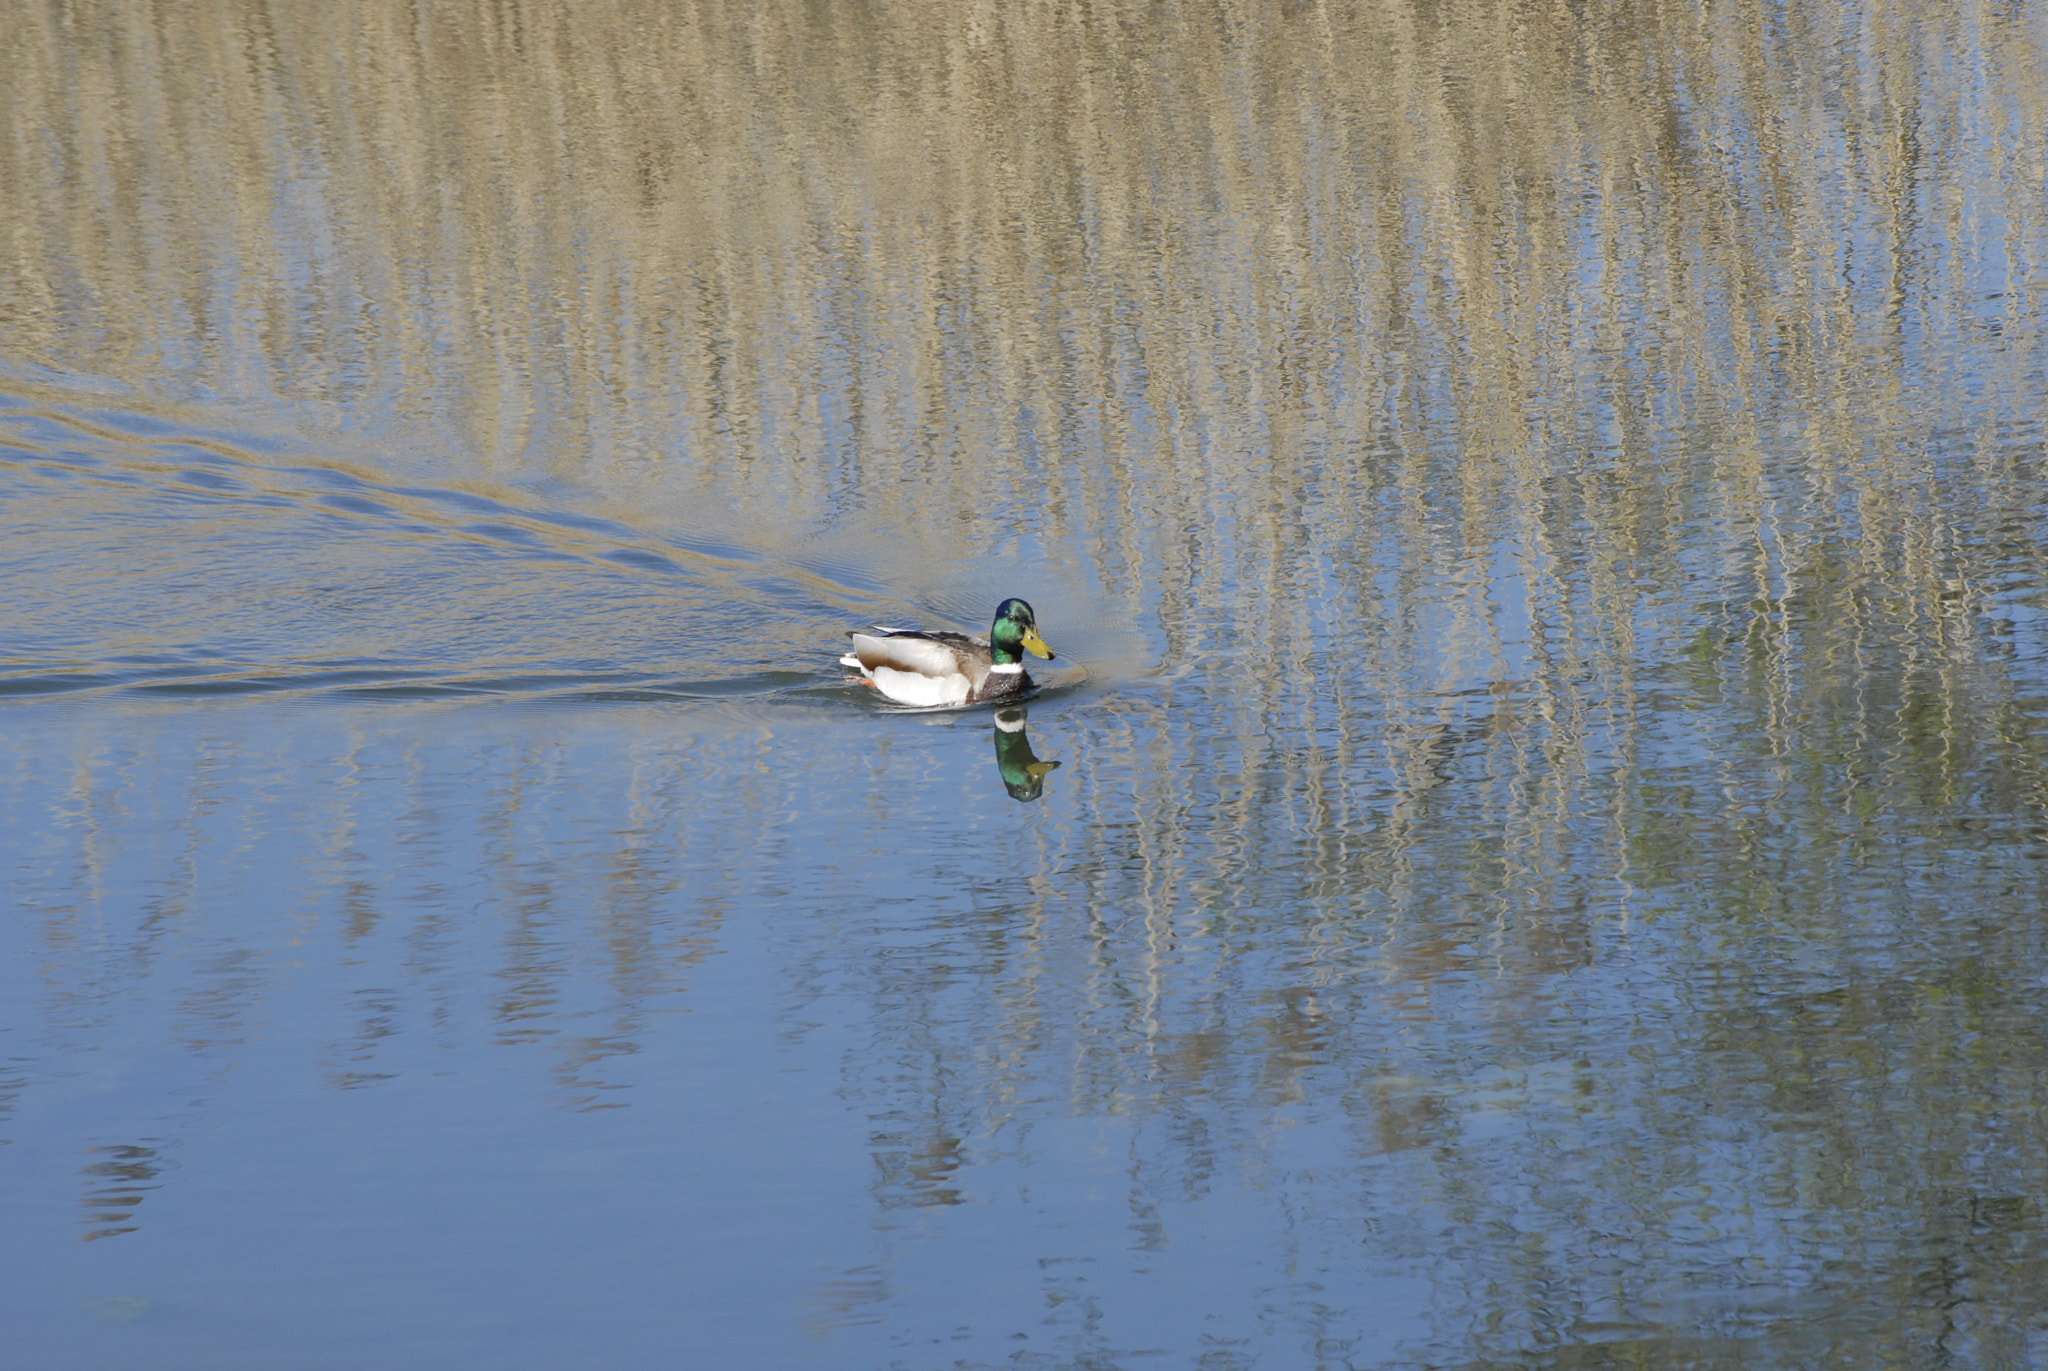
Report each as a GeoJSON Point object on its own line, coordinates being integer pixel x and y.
{"type": "Point", "coordinates": [1453, 304]}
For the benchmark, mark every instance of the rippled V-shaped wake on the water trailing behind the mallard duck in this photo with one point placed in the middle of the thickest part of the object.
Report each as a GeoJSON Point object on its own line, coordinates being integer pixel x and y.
{"type": "Point", "coordinates": [183, 565]}
